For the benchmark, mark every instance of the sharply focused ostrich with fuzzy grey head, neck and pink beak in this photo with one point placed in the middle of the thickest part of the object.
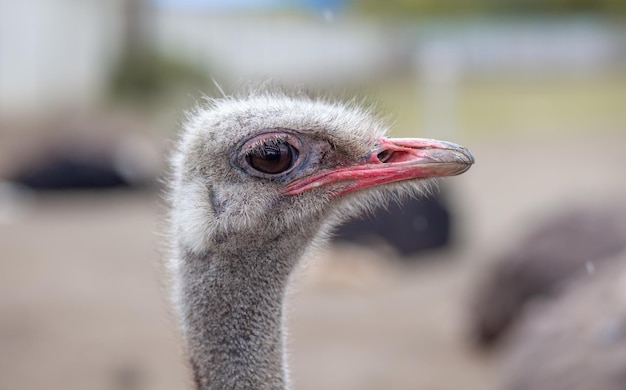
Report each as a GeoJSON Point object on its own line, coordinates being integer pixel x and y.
{"type": "Point", "coordinates": [257, 181]}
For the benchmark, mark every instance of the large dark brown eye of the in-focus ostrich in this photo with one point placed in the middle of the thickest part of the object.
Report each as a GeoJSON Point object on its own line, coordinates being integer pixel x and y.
{"type": "Point", "coordinates": [272, 157]}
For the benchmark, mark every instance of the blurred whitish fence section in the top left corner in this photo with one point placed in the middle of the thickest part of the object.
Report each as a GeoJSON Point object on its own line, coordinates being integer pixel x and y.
{"type": "Point", "coordinates": [56, 53]}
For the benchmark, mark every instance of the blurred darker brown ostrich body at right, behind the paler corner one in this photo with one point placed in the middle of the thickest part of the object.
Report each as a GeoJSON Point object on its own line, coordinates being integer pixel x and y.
{"type": "Point", "coordinates": [564, 247]}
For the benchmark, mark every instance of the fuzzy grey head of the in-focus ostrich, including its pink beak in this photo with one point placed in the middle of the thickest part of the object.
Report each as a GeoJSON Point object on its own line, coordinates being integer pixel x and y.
{"type": "Point", "coordinates": [272, 162]}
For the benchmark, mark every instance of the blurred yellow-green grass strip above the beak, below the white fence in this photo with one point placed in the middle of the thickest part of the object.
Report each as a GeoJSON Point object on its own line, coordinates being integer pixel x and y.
{"type": "Point", "coordinates": [514, 106]}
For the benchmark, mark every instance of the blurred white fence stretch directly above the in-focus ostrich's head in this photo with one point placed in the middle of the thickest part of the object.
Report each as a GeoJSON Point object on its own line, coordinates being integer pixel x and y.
{"type": "Point", "coordinates": [321, 50]}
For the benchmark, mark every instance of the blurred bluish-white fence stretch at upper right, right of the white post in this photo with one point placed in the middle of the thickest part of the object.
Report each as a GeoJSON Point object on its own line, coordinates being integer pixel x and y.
{"type": "Point", "coordinates": [542, 47]}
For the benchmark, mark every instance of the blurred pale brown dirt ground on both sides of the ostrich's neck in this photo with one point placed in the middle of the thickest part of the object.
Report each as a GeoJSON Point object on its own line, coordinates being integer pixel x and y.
{"type": "Point", "coordinates": [82, 302]}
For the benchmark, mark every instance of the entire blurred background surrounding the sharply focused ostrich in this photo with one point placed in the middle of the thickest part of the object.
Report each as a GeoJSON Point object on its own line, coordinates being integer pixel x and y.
{"type": "Point", "coordinates": [516, 260]}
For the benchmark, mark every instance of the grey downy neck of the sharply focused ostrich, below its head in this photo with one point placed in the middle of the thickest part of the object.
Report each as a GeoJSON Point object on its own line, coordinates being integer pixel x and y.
{"type": "Point", "coordinates": [233, 313]}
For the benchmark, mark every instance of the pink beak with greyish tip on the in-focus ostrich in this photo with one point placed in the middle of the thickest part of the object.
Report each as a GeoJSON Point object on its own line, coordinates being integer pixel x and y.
{"type": "Point", "coordinates": [394, 160]}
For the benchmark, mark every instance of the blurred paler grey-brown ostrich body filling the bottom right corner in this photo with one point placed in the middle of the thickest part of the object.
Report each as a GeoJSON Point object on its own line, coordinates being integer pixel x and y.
{"type": "Point", "coordinates": [576, 341]}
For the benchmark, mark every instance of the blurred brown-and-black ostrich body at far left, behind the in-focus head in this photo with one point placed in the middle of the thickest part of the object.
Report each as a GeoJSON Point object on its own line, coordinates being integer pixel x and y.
{"type": "Point", "coordinates": [86, 154]}
